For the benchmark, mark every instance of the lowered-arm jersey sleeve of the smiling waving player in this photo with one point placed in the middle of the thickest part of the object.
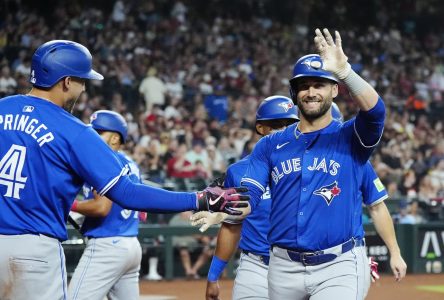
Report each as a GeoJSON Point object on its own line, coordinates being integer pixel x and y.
{"type": "Point", "coordinates": [258, 172]}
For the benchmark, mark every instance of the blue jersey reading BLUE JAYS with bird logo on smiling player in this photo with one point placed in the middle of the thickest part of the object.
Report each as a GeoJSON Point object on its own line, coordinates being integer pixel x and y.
{"type": "Point", "coordinates": [314, 180]}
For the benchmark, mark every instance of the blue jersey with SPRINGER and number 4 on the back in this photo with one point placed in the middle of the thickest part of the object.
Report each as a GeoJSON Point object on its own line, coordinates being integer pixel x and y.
{"type": "Point", "coordinates": [45, 156]}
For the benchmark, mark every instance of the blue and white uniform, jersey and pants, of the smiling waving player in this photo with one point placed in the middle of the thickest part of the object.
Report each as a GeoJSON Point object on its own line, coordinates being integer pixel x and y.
{"type": "Point", "coordinates": [315, 180]}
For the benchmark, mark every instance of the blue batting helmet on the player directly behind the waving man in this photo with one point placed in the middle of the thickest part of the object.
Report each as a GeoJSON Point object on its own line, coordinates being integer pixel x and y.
{"type": "Point", "coordinates": [276, 107]}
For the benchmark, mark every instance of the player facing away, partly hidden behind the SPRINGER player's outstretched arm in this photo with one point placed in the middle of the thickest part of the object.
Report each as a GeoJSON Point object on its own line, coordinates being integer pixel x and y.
{"type": "Point", "coordinates": [111, 230]}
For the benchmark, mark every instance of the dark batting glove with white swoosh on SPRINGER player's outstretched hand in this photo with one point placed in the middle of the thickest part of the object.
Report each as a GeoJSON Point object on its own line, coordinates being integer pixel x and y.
{"type": "Point", "coordinates": [217, 199]}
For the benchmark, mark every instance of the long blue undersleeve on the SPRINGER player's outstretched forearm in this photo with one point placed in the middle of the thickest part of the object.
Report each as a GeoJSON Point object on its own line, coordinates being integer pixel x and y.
{"type": "Point", "coordinates": [142, 197]}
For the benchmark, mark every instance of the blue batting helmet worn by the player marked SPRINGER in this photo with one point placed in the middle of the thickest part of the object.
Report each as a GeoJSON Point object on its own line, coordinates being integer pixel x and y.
{"type": "Point", "coordinates": [59, 58]}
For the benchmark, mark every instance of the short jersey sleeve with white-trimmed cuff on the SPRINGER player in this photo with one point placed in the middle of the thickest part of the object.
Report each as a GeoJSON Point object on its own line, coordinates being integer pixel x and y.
{"type": "Point", "coordinates": [94, 161]}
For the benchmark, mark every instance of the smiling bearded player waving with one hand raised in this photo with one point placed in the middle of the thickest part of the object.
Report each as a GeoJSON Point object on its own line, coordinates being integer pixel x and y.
{"type": "Point", "coordinates": [314, 170]}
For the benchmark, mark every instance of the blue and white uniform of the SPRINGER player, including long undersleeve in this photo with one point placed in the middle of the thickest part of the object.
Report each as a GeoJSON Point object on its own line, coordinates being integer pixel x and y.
{"type": "Point", "coordinates": [46, 155]}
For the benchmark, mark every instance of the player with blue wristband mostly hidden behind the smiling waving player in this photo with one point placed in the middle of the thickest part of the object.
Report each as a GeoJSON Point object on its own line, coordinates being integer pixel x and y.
{"type": "Point", "coordinates": [274, 113]}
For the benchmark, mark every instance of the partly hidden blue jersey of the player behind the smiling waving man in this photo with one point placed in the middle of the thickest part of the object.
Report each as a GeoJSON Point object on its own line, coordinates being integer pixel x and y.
{"type": "Point", "coordinates": [256, 226]}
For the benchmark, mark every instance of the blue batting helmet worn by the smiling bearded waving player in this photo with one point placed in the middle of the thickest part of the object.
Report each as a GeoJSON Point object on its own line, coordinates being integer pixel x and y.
{"type": "Point", "coordinates": [309, 66]}
